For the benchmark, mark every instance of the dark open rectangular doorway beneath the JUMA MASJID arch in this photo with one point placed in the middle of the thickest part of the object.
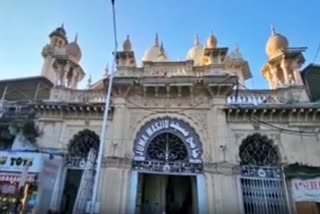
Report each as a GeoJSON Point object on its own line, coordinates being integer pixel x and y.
{"type": "Point", "coordinates": [170, 194]}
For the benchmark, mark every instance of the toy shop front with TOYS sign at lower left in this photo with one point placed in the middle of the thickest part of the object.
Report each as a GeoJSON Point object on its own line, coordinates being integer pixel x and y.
{"type": "Point", "coordinates": [28, 181]}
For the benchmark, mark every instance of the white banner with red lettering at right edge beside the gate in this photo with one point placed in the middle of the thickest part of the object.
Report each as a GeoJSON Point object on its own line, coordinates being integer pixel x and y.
{"type": "Point", "coordinates": [306, 190]}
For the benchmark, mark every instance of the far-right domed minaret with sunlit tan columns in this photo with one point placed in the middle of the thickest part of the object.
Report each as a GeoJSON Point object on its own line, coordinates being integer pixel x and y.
{"type": "Point", "coordinates": [282, 69]}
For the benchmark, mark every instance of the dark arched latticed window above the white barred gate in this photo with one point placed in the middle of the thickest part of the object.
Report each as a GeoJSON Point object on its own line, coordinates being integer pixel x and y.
{"type": "Point", "coordinates": [258, 150]}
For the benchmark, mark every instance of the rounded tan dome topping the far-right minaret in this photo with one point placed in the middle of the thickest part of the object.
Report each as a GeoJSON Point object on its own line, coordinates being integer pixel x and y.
{"type": "Point", "coordinates": [276, 43]}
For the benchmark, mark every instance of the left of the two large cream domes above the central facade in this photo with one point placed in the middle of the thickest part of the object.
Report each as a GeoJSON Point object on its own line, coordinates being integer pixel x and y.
{"type": "Point", "coordinates": [156, 53]}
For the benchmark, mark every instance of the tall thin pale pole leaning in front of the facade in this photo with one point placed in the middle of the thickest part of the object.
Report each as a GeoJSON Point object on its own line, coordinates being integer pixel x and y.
{"type": "Point", "coordinates": [105, 117]}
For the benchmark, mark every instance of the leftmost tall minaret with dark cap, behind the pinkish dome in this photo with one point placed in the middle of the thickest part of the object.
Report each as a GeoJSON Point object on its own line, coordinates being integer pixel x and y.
{"type": "Point", "coordinates": [58, 40]}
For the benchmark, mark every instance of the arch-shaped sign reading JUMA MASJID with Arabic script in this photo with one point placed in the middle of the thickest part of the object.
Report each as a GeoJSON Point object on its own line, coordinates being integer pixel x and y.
{"type": "Point", "coordinates": [168, 125]}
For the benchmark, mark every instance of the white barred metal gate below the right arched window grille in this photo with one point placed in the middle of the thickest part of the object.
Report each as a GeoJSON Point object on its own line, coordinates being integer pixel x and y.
{"type": "Point", "coordinates": [263, 190]}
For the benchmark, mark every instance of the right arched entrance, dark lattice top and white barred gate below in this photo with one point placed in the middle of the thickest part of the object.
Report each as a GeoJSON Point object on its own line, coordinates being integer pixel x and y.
{"type": "Point", "coordinates": [262, 183]}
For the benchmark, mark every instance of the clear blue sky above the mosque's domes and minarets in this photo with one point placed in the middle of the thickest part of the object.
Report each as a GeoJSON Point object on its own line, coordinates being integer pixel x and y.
{"type": "Point", "coordinates": [25, 26]}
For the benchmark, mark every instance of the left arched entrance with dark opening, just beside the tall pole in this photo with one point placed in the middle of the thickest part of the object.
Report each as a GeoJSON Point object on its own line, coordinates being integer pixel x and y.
{"type": "Point", "coordinates": [78, 151]}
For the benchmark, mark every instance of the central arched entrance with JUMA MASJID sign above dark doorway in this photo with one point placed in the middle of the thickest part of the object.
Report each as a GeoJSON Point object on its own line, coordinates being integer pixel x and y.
{"type": "Point", "coordinates": [167, 155]}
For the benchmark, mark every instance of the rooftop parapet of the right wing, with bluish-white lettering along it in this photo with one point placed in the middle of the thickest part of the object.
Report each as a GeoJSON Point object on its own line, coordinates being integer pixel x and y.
{"type": "Point", "coordinates": [294, 94]}
